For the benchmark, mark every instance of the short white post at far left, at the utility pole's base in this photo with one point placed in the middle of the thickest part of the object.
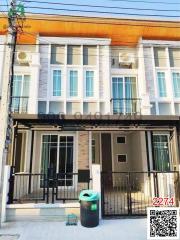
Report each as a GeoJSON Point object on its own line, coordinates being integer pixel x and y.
{"type": "Point", "coordinates": [5, 192]}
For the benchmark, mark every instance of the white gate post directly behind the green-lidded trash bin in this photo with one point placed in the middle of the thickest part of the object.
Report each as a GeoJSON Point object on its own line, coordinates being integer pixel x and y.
{"type": "Point", "coordinates": [96, 183]}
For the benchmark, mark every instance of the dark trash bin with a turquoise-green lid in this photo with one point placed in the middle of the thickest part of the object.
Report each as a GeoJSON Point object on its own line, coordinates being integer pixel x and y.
{"type": "Point", "coordinates": [89, 208]}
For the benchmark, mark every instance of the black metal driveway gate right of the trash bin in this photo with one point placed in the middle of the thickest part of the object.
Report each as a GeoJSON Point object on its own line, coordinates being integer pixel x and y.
{"type": "Point", "coordinates": [130, 193]}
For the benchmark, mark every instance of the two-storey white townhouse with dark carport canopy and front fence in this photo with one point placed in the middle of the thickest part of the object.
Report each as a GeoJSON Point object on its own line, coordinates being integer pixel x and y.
{"type": "Point", "coordinates": [83, 100]}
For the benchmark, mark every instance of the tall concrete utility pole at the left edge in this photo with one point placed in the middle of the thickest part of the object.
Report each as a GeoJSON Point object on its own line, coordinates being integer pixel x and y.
{"type": "Point", "coordinates": [16, 11]}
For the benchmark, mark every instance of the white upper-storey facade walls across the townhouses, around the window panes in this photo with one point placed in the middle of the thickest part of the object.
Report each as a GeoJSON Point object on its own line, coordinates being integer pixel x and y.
{"type": "Point", "coordinates": [41, 84]}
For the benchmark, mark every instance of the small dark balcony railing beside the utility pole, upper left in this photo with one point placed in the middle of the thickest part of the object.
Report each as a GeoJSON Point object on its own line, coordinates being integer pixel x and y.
{"type": "Point", "coordinates": [19, 104]}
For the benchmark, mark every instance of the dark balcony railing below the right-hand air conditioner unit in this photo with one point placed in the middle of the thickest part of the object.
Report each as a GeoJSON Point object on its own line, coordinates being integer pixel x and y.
{"type": "Point", "coordinates": [126, 105]}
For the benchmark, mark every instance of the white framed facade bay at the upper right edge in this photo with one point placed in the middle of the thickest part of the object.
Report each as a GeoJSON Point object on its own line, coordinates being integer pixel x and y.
{"type": "Point", "coordinates": [169, 105]}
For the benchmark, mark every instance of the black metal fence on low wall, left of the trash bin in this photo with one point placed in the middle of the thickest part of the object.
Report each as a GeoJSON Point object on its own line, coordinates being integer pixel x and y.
{"type": "Point", "coordinates": [48, 188]}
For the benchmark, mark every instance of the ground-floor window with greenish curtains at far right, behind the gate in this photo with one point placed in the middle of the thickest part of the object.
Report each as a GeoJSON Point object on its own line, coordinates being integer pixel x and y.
{"type": "Point", "coordinates": [161, 152]}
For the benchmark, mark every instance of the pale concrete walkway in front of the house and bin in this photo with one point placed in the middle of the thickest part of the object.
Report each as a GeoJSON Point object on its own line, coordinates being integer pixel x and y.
{"type": "Point", "coordinates": [130, 229]}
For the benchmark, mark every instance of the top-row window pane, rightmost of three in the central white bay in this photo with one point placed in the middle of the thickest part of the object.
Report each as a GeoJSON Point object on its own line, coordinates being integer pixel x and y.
{"type": "Point", "coordinates": [89, 55]}
